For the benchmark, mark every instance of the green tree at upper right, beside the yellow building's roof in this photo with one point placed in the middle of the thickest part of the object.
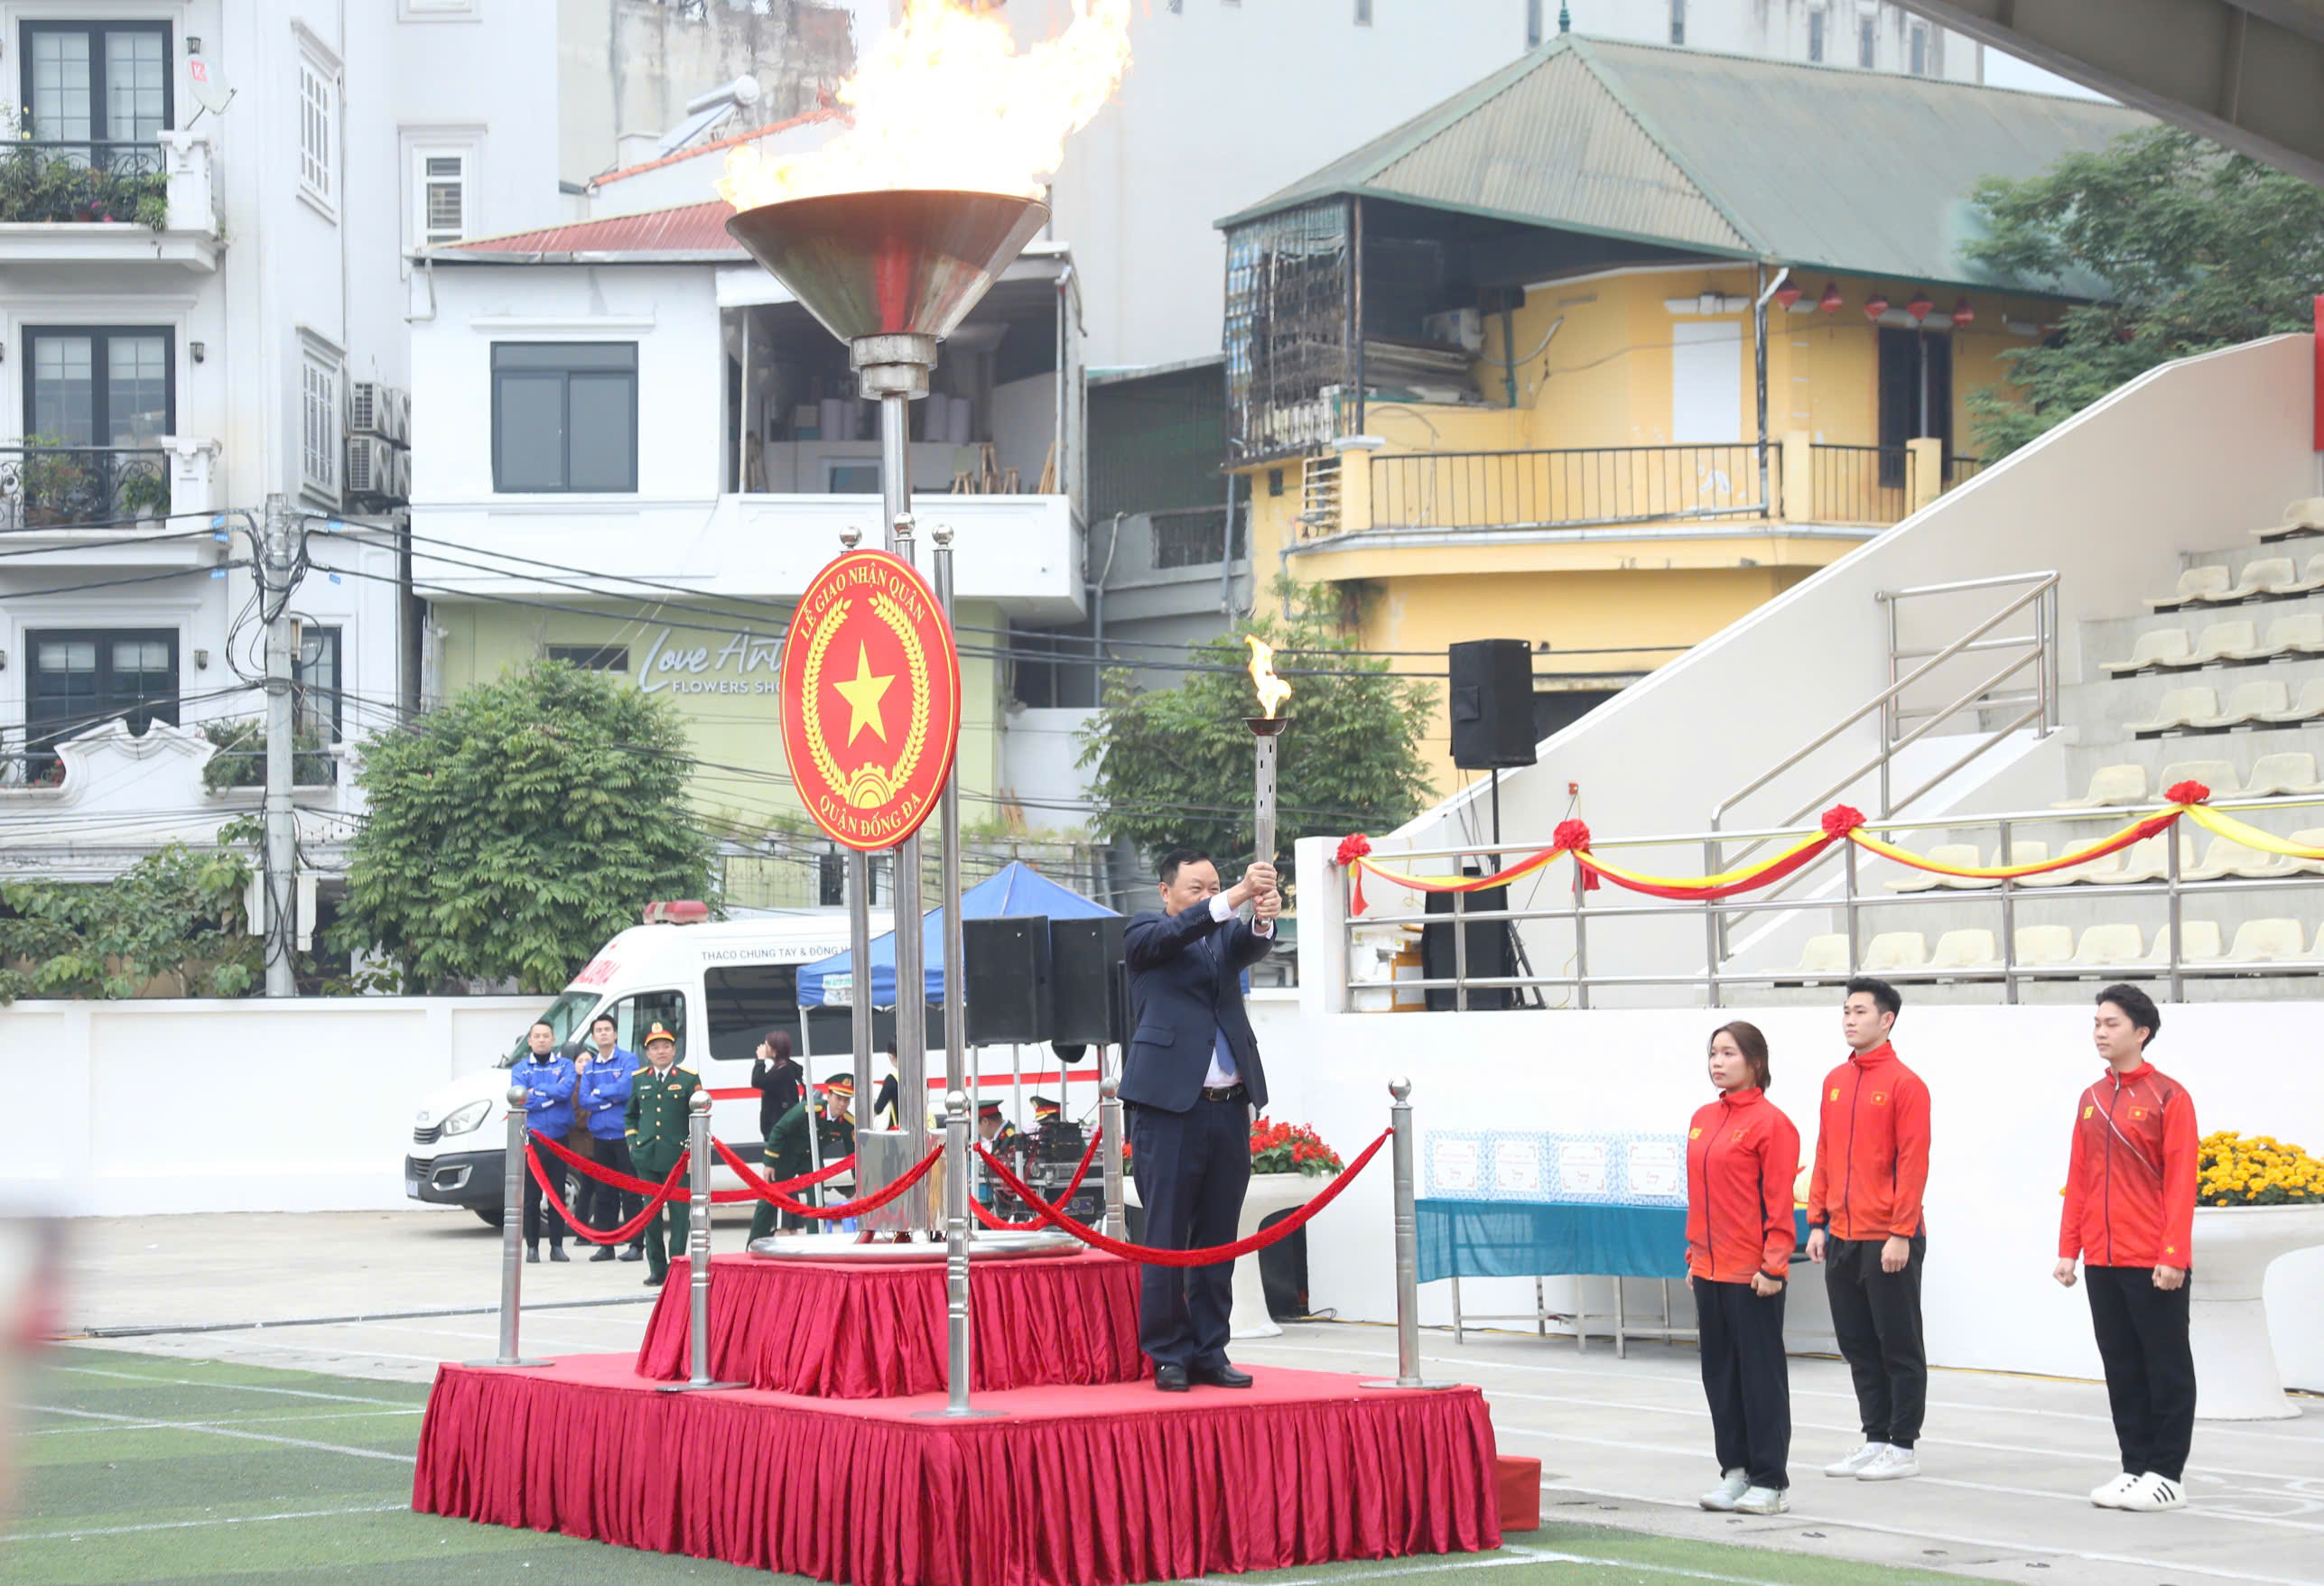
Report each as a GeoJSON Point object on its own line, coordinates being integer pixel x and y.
{"type": "Point", "coordinates": [2186, 245]}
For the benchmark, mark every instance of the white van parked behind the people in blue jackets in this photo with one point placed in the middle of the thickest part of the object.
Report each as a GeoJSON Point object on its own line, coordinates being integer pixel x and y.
{"type": "Point", "coordinates": [717, 988]}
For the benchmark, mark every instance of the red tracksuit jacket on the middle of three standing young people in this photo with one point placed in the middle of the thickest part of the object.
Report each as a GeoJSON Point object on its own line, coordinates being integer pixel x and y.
{"type": "Point", "coordinates": [1872, 1151]}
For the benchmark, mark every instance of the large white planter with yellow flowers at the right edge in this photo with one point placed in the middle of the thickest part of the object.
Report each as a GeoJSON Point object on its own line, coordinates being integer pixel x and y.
{"type": "Point", "coordinates": [2258, 1199]}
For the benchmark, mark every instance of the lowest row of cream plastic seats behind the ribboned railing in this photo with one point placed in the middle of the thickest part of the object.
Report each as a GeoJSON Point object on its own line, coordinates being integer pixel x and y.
{"type": "Point", "coordinates": [2042, 946]}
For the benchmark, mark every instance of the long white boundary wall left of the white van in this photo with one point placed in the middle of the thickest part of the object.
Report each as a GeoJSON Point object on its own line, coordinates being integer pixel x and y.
{"type": "Point", "coordinates": [234, 1106]}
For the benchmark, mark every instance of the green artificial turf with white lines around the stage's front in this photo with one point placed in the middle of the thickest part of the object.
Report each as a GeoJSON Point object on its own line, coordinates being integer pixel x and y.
{"type": "Point", "coordinates": [145, 1469]}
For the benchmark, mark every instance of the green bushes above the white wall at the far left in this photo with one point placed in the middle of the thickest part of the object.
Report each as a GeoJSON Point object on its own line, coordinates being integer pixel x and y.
{"type": "Point", "coordinates": [168, 925]}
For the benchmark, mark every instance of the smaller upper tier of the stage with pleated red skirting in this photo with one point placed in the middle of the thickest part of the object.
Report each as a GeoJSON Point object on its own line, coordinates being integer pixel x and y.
{"type": "Point", "coordinates": [877, 1332]}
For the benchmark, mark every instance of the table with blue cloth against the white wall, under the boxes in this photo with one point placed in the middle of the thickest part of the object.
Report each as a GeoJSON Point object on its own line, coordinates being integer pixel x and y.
{"type": "Point", "coordinates": [1561, 1239]}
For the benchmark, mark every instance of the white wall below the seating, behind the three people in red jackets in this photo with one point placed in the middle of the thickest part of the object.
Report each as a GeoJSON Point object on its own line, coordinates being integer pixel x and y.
{"type": "Point", "coordinates": [2002, 1090]}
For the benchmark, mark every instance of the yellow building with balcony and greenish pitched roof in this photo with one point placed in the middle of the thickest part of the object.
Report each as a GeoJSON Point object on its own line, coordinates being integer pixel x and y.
{"type": "Point", "coordinates": [1619, 345]}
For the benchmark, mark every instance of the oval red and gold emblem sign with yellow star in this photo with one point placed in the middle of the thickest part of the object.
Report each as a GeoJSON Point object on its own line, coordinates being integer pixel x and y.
{"type": "Point", "coordinates": [870, 700]}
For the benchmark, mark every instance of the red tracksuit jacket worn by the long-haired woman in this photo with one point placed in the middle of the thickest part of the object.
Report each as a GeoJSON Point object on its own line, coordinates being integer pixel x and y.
{"type": "Point", "coordinates": [1742, 1165]}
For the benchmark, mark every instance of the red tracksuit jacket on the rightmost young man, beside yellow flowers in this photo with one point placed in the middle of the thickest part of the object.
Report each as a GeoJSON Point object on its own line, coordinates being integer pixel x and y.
{"type": "Point", "coordinates": [2130, 1183]}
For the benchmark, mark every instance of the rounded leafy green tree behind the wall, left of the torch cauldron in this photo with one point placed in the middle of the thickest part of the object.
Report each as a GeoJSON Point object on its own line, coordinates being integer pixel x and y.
{"type": "Point", "coordinates": [517, 828]}
